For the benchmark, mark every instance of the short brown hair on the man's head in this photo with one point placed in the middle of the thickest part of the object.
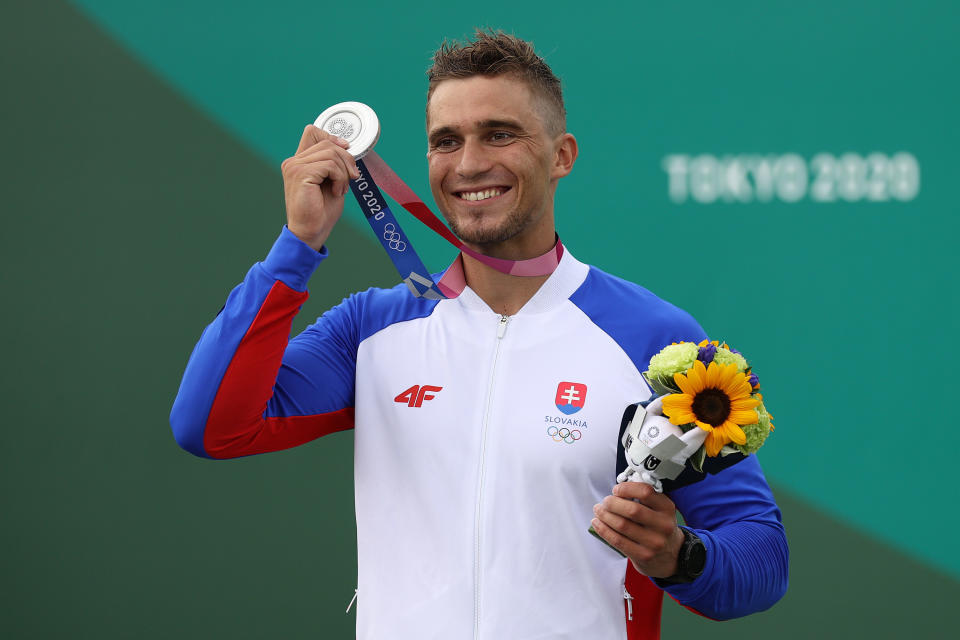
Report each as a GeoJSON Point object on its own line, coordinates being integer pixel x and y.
{"type": "Point", "coordinates": [495, 53]}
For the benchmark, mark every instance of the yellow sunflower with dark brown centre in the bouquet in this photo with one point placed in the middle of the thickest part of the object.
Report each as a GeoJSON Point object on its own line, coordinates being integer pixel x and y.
{"type": "Point", "coordinates": [717, 399]}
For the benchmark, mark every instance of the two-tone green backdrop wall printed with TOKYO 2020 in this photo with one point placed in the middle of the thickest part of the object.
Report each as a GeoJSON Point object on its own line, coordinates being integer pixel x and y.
{"type": "Point", "coordinates": [140, 179]}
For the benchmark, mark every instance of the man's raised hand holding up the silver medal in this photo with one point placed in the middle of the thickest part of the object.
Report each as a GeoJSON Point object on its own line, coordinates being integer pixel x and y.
{"type": "Point", "coordinates": [315, 181]}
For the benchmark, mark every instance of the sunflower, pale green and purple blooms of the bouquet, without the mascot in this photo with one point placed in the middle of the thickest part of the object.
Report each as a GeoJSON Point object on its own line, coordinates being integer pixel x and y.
{"type": "Point", "coordinates": [710, 386]}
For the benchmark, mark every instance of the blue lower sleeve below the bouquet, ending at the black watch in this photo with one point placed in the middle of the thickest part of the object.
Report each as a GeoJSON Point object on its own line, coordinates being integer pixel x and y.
{"type": "Point", "coordinates": [735, 515]}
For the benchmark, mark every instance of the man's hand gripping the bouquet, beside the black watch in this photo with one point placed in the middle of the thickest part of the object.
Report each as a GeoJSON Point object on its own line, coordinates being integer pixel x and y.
{"type": "Point", "coordinates": [641, 524]}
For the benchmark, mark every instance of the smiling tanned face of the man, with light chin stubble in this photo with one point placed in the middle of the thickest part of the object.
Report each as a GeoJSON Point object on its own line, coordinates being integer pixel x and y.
{"type": "Point", "coordinates": [493, 165]}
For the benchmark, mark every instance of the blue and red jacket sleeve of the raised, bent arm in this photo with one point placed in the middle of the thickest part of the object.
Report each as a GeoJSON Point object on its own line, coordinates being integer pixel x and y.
{"type": "Point", "coordinates": [247, 388]}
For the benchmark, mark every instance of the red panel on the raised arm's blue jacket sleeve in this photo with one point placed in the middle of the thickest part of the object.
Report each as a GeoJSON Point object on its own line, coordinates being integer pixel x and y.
{"type": "Point", "coordinates": [236, 425]}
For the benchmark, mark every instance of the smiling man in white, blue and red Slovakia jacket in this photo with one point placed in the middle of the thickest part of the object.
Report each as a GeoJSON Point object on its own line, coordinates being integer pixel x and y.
{"type": "Point", "coordinates": [472, 514]}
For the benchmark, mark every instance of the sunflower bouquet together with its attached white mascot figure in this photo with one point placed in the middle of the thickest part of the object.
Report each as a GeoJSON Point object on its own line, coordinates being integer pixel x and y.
{"type": "Point", "coordinates": [709, 404]}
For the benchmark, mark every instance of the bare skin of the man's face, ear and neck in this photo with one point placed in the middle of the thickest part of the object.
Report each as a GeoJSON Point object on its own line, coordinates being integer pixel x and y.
{"type": "Point", "coordinates": [496, 151]}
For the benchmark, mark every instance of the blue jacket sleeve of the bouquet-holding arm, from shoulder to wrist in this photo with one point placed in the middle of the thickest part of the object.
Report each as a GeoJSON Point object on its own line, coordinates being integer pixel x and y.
{"type": "Point", "coordinates": [733, 511]}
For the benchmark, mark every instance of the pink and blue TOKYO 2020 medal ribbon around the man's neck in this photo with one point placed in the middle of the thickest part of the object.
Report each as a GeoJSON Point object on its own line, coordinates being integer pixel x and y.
{"type": "Point", "coordinates": [373, 172]}
